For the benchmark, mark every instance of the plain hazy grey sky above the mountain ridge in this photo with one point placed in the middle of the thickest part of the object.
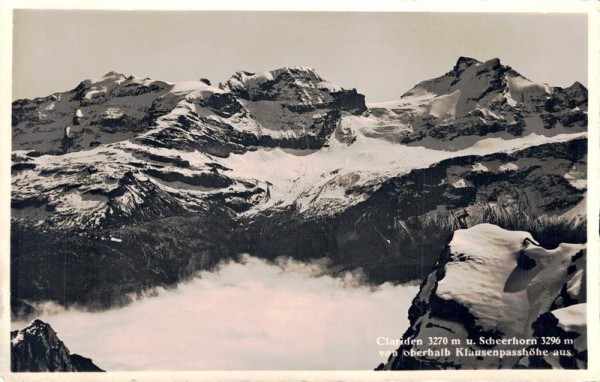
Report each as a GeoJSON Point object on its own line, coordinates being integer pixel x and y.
{"type": "Point", "coordinates": [380, 54]}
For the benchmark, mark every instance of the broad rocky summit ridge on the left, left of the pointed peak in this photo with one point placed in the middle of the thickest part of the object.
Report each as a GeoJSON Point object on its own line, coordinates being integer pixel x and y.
{"type": "Point", "coordinates": [288, 107]}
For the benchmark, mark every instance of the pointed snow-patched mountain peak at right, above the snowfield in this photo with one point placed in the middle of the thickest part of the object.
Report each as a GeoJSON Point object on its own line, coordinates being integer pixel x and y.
{"type": "Point", "coordinates": [483, 98]}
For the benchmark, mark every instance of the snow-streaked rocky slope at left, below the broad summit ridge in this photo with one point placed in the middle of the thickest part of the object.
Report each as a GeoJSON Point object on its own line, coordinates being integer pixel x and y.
{"type": "Point", "coordinates": [116, 183]}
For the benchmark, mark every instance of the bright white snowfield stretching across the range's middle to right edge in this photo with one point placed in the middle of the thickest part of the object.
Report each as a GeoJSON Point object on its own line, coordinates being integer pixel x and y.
{"type": "Point", "coordinates": [295, 175]}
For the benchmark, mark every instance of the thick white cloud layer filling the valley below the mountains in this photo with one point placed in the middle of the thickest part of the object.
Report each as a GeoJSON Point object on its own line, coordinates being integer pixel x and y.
{"type": "Point", "coordinates": [251, 316]}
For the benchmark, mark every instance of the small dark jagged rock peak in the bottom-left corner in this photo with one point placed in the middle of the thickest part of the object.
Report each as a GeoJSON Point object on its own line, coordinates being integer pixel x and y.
{"type": "Point", "coordinates": [38, 348]}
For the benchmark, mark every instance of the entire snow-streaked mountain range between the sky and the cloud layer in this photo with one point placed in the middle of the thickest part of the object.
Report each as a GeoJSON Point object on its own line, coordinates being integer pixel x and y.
{"type": "Point", "coordinates": [124, 184]}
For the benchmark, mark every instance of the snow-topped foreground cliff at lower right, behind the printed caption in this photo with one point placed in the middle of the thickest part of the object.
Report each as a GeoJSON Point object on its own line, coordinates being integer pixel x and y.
{"type": "Point", "coordinates": [495, 291]}
